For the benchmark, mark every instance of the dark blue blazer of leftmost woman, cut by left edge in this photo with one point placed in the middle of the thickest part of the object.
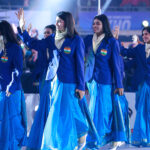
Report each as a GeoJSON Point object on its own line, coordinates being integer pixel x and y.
{"type": "Point", "coordinates": [11, 68]}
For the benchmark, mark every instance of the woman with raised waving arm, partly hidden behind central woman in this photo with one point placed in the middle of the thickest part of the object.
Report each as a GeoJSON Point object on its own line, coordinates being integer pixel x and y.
{"type": "Point", "coordinates": [44, 56]}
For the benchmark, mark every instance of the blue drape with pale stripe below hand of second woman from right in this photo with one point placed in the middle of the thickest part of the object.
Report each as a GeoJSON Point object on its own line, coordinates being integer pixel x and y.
{"type": "Point", "coordinates": [120, 125]}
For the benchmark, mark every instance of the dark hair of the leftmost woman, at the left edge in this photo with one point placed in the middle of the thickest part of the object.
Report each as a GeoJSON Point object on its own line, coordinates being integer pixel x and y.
{"type": "Point", "coordinates": [6, 30]}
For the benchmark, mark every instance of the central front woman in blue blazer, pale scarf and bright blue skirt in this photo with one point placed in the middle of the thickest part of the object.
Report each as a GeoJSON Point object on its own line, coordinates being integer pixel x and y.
{"type": "Point", "coordinates": [66, 127]}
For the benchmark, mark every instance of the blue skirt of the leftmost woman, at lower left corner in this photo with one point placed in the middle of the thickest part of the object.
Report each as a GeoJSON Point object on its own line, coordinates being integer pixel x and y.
{"type": "Point", "coordinates": [13, 121]}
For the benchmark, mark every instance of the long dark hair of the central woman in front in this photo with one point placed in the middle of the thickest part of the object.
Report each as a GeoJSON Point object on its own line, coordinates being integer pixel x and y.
{"type": "Point", "coordinates": [69, 23]}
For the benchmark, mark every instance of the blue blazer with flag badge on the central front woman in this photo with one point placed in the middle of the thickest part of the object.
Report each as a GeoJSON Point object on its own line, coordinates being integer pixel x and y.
{"type": "Point", "coordinates": [71, 65]}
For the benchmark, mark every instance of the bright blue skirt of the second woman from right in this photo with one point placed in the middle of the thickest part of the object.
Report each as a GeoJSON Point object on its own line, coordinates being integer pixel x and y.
{"type": "Point", "coordinates": [101, 110]}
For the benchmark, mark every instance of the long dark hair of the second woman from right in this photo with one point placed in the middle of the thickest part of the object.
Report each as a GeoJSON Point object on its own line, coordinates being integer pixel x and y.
{"type": "Point", "coordinates": [106, 26]}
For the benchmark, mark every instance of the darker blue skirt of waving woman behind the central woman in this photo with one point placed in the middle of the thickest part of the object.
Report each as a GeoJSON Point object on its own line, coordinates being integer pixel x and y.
{"type": "Point", "coordinates": [37, 129]}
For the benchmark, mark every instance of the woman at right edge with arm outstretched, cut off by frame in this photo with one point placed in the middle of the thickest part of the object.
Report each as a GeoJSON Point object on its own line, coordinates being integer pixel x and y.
{"type": "Point", "coordinates": [141, 53]}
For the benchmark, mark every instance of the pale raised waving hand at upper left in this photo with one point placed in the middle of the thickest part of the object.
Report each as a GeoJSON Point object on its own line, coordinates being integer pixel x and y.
{"type": "Point", "coordinates": [20, 16]}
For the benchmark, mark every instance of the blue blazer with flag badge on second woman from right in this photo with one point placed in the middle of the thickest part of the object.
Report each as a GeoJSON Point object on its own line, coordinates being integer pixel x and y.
{"type": "Point", "coordinates": [107, 66]}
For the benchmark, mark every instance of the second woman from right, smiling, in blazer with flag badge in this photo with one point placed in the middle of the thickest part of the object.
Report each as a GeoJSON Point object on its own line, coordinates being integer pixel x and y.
{"type": "Point", "coordinates": [103, 76]}
